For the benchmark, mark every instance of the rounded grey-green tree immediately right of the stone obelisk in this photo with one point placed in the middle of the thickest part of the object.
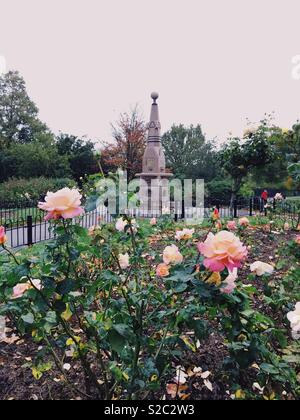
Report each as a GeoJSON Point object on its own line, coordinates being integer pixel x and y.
{"type": "Point", "coordinates": [188, 153]}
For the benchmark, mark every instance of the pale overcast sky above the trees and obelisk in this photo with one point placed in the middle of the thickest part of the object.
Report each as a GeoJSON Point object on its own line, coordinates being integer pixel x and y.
{"type": "Point", "coordinates": [214, 62]}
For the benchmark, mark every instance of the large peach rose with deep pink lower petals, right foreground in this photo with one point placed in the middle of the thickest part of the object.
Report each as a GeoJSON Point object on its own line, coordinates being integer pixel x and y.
{"type": "Point", "coordinates": [222, 250]}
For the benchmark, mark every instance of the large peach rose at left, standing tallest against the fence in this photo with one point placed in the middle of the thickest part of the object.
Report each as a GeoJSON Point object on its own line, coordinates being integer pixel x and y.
{"type": "Point", "coordinates": [65, 203]}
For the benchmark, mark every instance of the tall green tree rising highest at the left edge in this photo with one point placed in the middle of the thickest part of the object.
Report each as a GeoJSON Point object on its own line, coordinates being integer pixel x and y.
{"type": "Point", "coordinates": [19, 120]}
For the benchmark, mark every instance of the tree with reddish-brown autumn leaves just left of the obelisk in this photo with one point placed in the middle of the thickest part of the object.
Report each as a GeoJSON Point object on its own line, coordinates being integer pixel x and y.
{"type": "Point", "coordinates": [129, 141]}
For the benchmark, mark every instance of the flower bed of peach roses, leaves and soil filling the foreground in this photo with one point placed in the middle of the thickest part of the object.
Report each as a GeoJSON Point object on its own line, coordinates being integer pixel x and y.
{"type": "Point", "coordinates": [151, 309]}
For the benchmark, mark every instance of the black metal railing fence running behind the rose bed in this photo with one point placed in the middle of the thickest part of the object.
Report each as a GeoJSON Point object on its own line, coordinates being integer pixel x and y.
{"type": "Point", "coordinates": [25, 224]}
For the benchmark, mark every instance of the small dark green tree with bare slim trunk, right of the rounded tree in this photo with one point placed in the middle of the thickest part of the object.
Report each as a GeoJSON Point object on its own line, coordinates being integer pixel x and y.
{"type": "Point", "coordinates": [239, 157]}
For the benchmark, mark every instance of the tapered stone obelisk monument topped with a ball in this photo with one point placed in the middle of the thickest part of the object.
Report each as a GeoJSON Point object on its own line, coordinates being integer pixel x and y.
{"type": "Point", "coordinates": [153, 192]}
